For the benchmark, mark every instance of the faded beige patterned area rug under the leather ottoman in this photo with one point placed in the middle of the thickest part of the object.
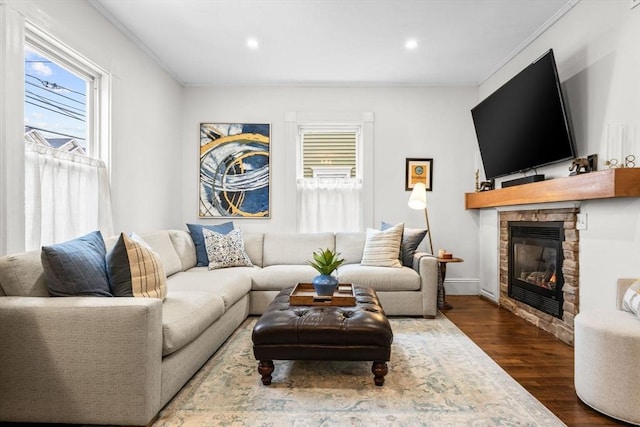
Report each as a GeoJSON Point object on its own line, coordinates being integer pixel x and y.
{"type": "Point", "coordinates": [437, 377]}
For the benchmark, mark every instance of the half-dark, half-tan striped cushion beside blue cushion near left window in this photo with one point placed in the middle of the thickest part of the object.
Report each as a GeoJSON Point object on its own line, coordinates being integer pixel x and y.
{"type": "Point", "coordinates": [135, 270]}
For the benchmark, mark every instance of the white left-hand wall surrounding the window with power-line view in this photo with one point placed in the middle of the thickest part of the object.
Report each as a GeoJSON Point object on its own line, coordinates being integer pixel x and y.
{"type": "Point", "coordinates": [146, 117]}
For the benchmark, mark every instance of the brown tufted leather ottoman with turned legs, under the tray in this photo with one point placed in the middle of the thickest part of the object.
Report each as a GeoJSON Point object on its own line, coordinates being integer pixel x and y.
{"type": "Point", "coordinates": [361, 332]}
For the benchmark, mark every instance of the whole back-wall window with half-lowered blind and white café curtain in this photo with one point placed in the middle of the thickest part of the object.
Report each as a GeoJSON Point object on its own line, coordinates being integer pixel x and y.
{"type": "Point", "coordinates": [329, 178]}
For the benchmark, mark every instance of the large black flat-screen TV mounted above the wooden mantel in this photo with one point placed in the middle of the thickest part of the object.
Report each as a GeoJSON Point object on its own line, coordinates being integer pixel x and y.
{"type": "Point", "coordinates": [523, 124]}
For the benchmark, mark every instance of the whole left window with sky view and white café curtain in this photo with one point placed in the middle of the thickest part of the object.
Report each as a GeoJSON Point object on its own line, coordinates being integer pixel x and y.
{"type": "Point", "coordinates": [66, 181]}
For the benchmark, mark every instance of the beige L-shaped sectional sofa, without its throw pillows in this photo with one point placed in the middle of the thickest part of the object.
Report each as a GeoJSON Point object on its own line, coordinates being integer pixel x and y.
{"type": "Point", "coordinates": [96, 360]}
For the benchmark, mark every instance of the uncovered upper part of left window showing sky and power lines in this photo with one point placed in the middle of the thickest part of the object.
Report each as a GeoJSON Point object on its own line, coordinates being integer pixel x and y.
{"type": "Point", "coordinates": [66, 97]}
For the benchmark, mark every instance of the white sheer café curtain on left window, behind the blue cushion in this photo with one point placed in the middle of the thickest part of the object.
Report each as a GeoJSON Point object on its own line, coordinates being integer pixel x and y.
{"type": "Point", "coordinates": [66, 195]}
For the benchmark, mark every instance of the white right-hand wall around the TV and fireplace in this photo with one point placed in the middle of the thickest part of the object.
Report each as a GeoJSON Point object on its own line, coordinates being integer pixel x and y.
{"type": "Point", "coordinates": [597, 50]}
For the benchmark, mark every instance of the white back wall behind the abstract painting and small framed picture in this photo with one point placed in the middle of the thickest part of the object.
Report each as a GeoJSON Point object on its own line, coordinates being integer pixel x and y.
{"type": "Point", "coordinates": [408, 122]}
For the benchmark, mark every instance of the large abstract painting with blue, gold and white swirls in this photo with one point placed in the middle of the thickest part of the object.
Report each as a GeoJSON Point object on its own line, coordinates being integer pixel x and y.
{"type": "Point", "coordinates": [234, 170]}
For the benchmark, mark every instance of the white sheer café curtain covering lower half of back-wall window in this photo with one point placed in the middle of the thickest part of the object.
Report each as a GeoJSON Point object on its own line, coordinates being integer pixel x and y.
{"type": "Point", "coordinates": [329, 205]}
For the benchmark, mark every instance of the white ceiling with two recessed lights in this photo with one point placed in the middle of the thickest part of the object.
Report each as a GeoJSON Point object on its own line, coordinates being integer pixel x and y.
{"type": "Point", "coordinates": [332, 42]}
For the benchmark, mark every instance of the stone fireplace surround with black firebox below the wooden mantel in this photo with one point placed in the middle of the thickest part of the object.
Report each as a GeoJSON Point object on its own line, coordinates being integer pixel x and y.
{"type": "Point", "coordinates": [559, 324]}
